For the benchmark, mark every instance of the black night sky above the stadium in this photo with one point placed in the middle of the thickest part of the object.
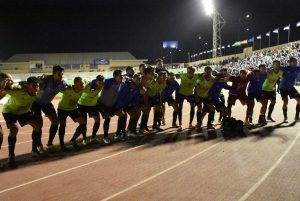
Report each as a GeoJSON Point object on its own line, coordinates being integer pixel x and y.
{"type": "Point", "coordinates": [137, 26]}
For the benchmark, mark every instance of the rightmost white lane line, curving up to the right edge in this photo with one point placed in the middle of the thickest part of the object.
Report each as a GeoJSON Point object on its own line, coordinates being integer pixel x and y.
{"type": "Point", "coordinates": [265, 176]}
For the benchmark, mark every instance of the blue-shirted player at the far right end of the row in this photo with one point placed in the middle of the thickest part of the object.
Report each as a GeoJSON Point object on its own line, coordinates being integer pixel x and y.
{"type": "Point", "coordinates": [286, 86]}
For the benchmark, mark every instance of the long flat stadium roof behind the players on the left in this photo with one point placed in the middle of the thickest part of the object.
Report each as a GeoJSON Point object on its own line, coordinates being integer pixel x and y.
{"type": "Point", "coordinates": [71, 58]}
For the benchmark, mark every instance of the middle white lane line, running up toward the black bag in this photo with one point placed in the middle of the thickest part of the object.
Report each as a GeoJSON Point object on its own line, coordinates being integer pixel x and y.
{"type": "Point", "coordinates": [160, 173]}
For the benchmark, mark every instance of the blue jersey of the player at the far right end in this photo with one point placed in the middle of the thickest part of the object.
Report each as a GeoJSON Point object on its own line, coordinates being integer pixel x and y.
{"type": "Point", "coordinates": [289, 77]}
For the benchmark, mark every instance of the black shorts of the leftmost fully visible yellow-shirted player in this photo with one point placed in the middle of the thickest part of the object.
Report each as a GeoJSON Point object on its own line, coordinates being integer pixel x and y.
{"type": "Point", "coordinates": [23, 119]}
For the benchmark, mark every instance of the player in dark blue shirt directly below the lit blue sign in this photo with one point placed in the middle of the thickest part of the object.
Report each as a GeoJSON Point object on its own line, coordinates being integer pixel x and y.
{"type": "Point", "coordinates": [171, 88]}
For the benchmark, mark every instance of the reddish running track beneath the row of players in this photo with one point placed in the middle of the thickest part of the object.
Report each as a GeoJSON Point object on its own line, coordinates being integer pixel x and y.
{"type": "Point", "coordinates": [166, 166]}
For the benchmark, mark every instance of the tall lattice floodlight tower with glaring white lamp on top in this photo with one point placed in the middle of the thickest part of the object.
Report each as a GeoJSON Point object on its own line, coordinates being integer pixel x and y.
{"type": "Point", "coordinates": [218, 24]}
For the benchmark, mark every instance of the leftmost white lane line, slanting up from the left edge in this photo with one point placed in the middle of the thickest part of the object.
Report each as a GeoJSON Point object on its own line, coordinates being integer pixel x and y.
{"type": "Point", "coordinates": [68, 170]}
